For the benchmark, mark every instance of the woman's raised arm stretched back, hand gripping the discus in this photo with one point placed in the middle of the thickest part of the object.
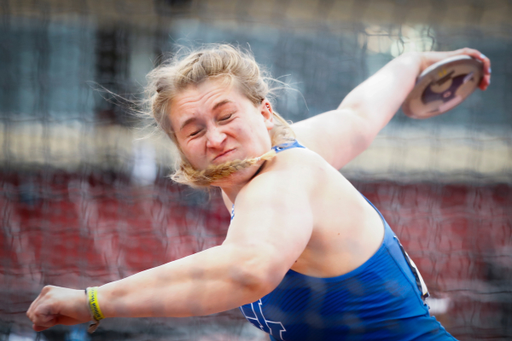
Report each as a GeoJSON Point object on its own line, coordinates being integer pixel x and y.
{"type": "Point", "coordinates": [340, 135]}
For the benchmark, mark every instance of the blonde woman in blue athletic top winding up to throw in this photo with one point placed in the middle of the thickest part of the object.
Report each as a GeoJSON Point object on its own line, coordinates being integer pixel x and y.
{"type": "Point", "coordinates": [306, 256]}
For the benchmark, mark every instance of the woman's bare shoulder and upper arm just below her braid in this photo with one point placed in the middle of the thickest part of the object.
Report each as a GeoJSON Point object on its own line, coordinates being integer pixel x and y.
{"type": "Point", "coordinates": [273, 211]}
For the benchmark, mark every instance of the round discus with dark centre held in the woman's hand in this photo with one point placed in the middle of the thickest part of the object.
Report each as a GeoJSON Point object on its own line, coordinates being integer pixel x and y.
{"type": "Point", "coordinates": [442, 86]}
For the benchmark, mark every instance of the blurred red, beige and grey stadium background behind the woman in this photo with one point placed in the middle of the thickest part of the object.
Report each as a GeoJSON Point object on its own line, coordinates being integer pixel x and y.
{"type": "Point", "coordinates": [83, 201]}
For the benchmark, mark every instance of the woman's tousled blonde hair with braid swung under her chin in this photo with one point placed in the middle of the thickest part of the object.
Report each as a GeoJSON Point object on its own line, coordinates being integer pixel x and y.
{"type": "Point", "coordinates": [215, 61]}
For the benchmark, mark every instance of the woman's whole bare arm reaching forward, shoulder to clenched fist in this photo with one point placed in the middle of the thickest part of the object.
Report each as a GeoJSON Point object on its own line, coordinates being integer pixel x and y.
{"type": "Point", "coordinates": [271, 229]}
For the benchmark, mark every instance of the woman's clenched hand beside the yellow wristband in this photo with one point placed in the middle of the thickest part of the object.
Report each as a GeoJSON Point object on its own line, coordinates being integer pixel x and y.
{"type": "Point", "coordinates": [57, 305]}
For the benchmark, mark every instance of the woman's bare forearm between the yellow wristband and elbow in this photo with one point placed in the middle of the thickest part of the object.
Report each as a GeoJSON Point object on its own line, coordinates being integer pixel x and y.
{"type": "Point", "coordinates": [201, 284]}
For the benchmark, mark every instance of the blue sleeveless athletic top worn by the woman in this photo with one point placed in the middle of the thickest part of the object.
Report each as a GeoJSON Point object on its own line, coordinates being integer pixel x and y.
{"type": "Point", "coordinates": [380, 300]}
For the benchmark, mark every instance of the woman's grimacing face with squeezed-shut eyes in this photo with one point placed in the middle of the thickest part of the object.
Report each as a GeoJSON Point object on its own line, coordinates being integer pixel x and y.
{"type": "Point", "coordinates": [214, 123]}
